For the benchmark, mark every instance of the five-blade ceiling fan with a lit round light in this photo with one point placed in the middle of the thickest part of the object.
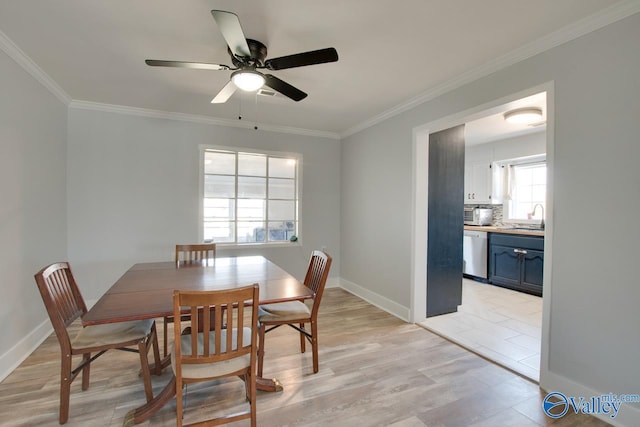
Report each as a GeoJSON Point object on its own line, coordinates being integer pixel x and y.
{"type": "Point", "coordinates": [248, 56]}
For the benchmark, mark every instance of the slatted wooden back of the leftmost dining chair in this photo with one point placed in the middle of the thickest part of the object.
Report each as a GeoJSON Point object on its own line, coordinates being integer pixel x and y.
{"type": "Point", "coordinates": [62, 299]}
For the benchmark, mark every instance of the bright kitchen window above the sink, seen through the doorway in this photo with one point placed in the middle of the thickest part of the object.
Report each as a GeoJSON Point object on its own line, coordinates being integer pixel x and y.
{"type": "Point", "coordinates": [527, 188]}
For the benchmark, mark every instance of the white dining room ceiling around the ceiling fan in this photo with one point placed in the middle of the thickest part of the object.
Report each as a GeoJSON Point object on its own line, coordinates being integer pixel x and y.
{"type": "Point", "coordinates": [392, 53]}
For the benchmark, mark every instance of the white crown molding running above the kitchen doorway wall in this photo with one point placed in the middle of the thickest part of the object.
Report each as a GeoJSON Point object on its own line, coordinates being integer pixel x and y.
{"type": "Point", "coordinates": [587, 25]}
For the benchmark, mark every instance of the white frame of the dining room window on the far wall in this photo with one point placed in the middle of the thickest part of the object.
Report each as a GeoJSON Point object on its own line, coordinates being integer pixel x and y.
{"type": "Point", "coordinates": [298, 195]}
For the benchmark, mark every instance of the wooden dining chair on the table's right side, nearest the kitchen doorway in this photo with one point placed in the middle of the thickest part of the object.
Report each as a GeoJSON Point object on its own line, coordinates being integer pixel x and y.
{"type": "Point", "coordinates": [297, 314]}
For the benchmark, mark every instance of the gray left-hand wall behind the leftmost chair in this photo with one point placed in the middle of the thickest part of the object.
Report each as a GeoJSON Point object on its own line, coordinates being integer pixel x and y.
{"type": "Point", "coordinates": [33, 227]}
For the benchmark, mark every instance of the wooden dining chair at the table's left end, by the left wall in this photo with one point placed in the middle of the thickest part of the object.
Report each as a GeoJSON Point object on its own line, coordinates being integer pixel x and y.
{"type": "Point", "coordinates": [64, 304]}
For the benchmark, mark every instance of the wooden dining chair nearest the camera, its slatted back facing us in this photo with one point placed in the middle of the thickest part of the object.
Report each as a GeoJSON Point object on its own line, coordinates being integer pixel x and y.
{"type": "Point", "coordinates": [222, 346]}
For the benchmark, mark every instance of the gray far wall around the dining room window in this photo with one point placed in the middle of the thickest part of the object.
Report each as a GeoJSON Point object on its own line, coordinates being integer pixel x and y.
{"type": "Point", "coordinates": [133, 192]}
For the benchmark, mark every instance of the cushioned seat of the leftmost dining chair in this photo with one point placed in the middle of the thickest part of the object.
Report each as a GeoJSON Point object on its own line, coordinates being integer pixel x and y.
{"type": "Point", "coordinates": [111, 333]}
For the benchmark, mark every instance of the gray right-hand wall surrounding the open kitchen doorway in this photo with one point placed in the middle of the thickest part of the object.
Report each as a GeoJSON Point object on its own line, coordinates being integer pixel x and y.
{"type": "Point", "coordinates": [594, 292]}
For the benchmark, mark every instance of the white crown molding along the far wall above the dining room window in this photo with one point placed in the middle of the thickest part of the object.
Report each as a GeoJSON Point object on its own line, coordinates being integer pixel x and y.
{"type": "Point", "coordinates": [157, 114]}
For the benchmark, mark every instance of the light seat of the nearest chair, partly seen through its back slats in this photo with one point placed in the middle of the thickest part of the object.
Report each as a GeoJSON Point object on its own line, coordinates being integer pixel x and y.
{"type": "Point", "coordinates": [215, 369]}
